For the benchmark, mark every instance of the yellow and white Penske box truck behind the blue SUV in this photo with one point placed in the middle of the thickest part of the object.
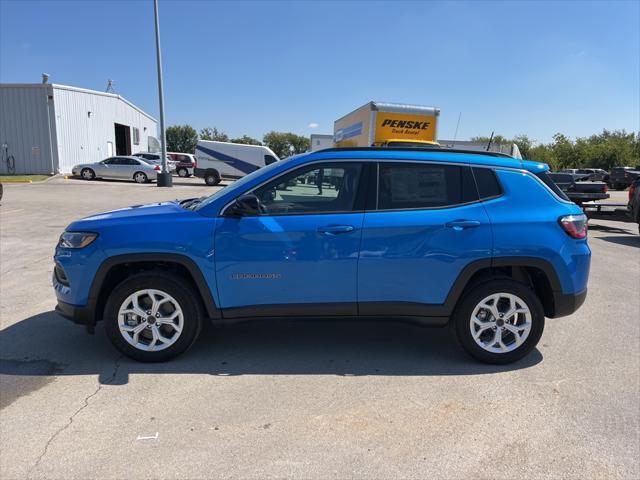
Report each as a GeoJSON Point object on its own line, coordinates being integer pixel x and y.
{"type": "Point", "coordinates": [379, 124]}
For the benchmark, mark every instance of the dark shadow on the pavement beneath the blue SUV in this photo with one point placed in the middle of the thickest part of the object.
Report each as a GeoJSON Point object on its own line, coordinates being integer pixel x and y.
{"type": "Point", "coordinates": [48, 345]}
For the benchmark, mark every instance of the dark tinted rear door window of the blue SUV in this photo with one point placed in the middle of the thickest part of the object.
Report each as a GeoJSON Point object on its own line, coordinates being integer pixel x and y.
{"type": "Point", "coordinates": [411, 185]}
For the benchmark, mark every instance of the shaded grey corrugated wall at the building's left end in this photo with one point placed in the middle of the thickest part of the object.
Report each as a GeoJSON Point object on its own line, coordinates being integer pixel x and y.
{"type": "Point", "coordinates": [24, 128]}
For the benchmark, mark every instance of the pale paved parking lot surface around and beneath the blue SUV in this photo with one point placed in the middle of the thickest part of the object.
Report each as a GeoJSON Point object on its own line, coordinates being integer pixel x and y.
{"type": "Point", "coordinates": [314, 400]}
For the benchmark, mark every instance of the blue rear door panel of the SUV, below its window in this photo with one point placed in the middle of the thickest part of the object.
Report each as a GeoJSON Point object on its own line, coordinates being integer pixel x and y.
{"type": "Point", "coordinates": [413, 256]}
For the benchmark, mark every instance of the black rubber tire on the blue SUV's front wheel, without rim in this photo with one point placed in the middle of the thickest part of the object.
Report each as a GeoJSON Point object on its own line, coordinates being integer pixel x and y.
{"type": "Point", "coordinates": [165, 282]}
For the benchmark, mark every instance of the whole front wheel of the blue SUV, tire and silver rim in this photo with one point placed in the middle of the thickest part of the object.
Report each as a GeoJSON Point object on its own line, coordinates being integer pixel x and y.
{"type": "Point", "coordinates": [152, 317]}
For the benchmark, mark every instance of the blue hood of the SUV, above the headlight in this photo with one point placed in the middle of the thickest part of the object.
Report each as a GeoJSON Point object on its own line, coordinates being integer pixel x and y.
{"type": "Point", "coordinates": [149, 213]}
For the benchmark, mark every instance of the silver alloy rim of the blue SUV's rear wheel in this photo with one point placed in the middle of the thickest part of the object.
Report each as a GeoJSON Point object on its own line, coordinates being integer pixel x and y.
{"type": "Point", "coordinates": [500, 323]}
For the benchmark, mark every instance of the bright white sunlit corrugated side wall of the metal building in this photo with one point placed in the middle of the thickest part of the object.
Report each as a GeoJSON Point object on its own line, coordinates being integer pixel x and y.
{"type": "Point", "coordinates": [85, 123]}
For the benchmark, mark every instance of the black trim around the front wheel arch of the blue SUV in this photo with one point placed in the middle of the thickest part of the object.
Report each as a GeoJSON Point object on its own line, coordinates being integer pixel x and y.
{"type": "Point", "coordinates": [196, 274]}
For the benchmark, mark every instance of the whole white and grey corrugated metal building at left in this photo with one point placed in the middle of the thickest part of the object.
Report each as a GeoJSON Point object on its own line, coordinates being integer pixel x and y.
{"type": "Point", "coordinates": [48, 128]}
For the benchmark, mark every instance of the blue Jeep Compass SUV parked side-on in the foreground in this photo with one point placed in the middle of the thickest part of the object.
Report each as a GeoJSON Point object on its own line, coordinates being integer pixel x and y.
{"type": "Point", "coordinates": [480, 241]}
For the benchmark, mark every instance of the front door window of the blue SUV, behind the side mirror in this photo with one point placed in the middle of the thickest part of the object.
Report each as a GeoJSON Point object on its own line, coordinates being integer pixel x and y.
{"type": "Point", "coordinates": [313, 189]}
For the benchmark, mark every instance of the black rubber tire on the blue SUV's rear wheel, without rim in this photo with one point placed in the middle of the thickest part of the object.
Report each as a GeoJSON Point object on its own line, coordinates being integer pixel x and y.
{"type": "Point", "coordinates": [460, 322]}
